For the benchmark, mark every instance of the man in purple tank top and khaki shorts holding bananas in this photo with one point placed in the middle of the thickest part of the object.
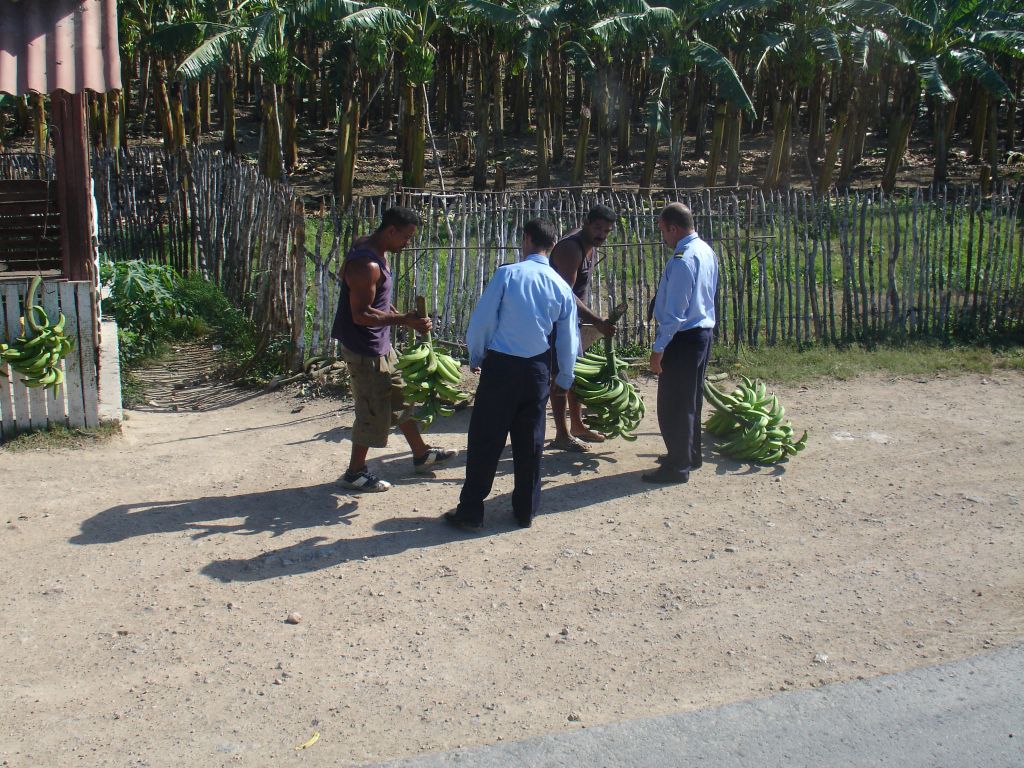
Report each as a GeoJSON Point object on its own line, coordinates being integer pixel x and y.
{"type": "Point", "coordinates": [363, 325]}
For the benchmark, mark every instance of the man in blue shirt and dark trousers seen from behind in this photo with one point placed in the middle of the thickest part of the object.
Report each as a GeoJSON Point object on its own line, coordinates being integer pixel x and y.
{"type": "Point", "coordinates": [508, 345]}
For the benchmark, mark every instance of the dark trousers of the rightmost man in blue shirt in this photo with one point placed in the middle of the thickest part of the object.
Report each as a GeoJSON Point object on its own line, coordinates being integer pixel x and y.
{"type": "Point", "coordinates": [680, 397]}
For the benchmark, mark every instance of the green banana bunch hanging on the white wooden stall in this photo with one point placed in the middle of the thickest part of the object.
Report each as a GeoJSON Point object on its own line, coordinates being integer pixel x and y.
{"type": "Point", "coordinates": [38, 358]}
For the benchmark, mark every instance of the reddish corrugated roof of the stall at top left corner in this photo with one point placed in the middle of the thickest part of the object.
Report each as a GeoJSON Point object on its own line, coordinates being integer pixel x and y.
{"type": "Point", "coordinates": [49, 46]}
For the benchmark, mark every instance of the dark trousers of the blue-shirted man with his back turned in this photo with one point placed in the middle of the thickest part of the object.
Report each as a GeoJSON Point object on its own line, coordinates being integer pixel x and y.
{"type": "Point", "coordinates": [511, 400]}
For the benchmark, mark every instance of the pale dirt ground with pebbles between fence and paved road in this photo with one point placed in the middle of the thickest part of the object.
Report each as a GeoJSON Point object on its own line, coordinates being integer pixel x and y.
{"type": "Point", "coordinates": [147, 582]}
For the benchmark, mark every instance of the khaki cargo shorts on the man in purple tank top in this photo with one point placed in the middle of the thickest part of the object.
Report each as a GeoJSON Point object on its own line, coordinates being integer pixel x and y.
{"type": "Point", "coordinates": [377, 390]}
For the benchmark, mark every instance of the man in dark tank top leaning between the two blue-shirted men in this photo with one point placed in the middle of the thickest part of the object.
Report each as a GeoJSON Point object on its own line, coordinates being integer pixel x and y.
{"type": "Point", "coordinates": [573, 258]}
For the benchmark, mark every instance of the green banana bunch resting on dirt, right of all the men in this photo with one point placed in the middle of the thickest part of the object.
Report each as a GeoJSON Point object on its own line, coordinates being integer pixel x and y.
{"type": "Point", "coordinates": [751, 424]}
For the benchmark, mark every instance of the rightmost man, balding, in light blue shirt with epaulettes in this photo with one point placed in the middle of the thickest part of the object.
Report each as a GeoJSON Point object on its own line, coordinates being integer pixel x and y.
{"type": "Point", "coordinates": [685, 309]}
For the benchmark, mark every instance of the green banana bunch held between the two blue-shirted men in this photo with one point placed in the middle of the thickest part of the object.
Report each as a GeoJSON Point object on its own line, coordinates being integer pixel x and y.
{"type": "Point", "coordinates": [614, 408]}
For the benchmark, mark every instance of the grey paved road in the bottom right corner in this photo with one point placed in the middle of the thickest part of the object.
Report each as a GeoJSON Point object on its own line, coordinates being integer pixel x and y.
{"type": "Point", "coordinates": [967, 714]}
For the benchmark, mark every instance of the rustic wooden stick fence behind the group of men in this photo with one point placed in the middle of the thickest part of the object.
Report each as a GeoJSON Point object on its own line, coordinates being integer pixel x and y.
{"type": "Point", "coordinates": [795, 268]}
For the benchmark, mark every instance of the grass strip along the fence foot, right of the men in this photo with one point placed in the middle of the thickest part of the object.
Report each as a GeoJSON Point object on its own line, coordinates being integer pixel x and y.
{"type": "Point", "coordinates": [786, 365]}
